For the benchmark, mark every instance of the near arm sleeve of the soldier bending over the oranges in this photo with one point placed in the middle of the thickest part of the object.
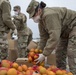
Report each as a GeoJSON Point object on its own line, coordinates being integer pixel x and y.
{"type": "Point", "coordinates": [53, 25]}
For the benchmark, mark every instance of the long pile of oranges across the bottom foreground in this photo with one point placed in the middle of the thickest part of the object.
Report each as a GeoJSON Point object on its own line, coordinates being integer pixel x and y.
{"type": "Point", "coordinates": [23, 69]}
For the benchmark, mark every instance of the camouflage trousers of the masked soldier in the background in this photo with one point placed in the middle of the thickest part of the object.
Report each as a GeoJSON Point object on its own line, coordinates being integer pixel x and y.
{"type": "Point", "coordinates": [22, 46]}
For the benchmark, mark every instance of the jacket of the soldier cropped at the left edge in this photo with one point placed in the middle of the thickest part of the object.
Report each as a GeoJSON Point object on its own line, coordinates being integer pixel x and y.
{"type": "Point", "coordinates": [5, 16]}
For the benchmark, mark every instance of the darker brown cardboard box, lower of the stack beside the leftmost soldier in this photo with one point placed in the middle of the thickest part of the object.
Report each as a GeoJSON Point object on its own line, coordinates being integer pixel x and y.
{"type": "Point", "coordinates": [12, 55]}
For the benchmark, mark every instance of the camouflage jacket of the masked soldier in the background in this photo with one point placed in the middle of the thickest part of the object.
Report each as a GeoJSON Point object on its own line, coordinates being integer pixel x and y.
{"type": "Point", "coordinates": [20, 21]}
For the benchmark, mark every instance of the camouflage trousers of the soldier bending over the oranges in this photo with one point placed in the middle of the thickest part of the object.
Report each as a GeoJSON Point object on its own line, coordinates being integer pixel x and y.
{"type": "Point", "coordinates": [67, 47]}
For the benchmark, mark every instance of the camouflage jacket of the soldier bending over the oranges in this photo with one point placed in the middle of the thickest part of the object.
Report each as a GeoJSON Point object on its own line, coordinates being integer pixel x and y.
{"type": "Point", "coordinates": [51, 23]}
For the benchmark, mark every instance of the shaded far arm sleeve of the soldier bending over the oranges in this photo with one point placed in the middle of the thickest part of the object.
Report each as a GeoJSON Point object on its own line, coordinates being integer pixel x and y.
{"type": "Point", "coordinates": [43, 36]}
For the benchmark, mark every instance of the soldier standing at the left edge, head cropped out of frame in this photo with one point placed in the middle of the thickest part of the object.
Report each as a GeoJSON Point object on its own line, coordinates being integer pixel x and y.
{"type": "Point", "coordinates": [5, 25]}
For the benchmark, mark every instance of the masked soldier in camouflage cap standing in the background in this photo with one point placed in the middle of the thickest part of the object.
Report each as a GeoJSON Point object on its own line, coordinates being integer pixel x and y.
{"type": "Point", "coordinates": [20, 22]}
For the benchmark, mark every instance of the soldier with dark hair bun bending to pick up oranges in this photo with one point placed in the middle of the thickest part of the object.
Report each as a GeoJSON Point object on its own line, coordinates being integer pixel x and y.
{"type": "Point", "coordinates": [57, 26]}
